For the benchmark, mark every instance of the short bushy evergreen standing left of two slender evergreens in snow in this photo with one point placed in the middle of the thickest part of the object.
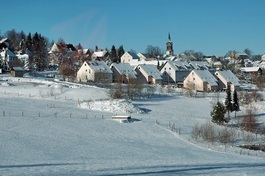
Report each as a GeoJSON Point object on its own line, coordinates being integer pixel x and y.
{"type": "Point", "coordinates": [218, 113]}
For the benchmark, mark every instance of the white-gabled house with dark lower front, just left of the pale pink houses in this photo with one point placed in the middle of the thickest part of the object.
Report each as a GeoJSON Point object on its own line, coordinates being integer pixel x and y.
{"type": "Point", "coordinates": [175, 72]}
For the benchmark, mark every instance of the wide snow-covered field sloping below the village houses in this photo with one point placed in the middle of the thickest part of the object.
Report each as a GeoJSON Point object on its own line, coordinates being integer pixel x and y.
{"type": "Point", "coordinates": [53, 128]}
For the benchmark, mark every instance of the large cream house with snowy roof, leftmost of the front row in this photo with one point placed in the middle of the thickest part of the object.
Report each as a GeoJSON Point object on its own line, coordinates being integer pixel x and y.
{"type": "Point", "coordinates": [94, 71]}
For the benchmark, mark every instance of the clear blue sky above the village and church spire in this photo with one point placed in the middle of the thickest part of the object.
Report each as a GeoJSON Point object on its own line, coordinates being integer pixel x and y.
{"type": "Point", "coordinates": [211, 26]}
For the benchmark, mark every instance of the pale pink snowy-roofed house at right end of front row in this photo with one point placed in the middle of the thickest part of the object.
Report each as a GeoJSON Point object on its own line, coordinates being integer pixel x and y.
{"type": "Point", "coordinates": [225, 78]}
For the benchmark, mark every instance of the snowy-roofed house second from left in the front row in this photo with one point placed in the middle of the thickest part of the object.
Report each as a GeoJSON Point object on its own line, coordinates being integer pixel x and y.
{"type": "Point", "coordinates": [123, 73]}
